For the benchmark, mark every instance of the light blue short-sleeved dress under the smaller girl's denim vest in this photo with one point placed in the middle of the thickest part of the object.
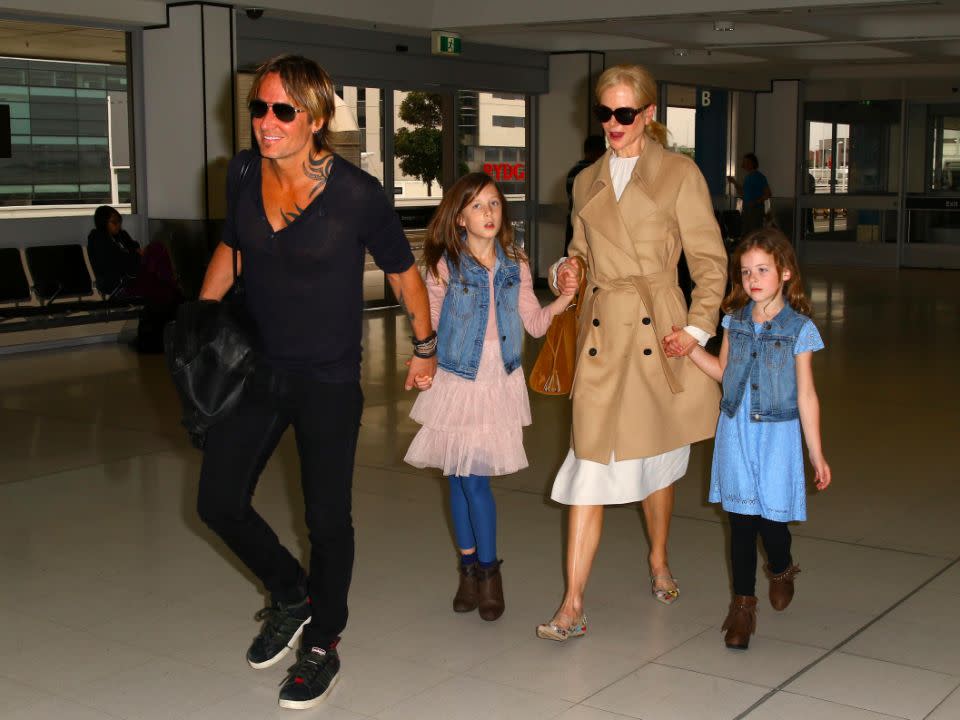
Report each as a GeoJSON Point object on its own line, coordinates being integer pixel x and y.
{"type": "Point", "coordinates": [758, 467]}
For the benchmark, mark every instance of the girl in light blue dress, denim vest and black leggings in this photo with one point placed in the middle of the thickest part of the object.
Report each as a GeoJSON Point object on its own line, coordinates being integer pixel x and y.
{"type": "Point", "coordinates": [765, 366]}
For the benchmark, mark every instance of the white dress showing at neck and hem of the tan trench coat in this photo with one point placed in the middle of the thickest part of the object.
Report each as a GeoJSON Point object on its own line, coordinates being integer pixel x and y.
{"type": "Point", "coordinates": [584, 482]}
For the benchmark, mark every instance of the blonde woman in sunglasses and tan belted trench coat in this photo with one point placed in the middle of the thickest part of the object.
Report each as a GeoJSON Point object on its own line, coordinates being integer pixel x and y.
{"type": "Point", "coordinates": [635, 411]}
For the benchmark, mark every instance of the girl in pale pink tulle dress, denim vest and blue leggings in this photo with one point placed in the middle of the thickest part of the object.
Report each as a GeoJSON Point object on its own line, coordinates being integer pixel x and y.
{"type": "Point", "coordinates": [474, 410]}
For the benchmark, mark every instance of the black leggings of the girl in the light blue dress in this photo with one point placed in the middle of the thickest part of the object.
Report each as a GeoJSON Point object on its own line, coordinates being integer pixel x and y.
{"type": "Point", "coordinates": [743, 549]}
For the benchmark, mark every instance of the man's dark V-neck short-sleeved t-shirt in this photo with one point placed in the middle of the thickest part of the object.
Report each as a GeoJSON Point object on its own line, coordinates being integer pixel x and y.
{"type": "Point", "coordinates": [304, 282]}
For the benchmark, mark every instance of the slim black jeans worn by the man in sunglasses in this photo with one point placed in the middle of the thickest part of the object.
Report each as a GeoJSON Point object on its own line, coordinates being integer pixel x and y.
{"type": "Point", "coordinates": [326, 420]}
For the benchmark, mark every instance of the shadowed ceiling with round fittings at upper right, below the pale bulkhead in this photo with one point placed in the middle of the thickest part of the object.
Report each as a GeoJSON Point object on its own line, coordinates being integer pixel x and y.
{"type": "Point", "coordinates": [788, 37]}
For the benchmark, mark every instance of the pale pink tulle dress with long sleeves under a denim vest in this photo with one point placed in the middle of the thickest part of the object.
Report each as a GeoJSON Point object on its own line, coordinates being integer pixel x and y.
{"type": "Point", "coordinates": [475, 427]}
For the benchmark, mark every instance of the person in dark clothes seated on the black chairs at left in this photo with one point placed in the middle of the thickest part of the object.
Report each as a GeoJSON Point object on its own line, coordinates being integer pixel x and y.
{"type": "Point", "coordinates": [125, 270]}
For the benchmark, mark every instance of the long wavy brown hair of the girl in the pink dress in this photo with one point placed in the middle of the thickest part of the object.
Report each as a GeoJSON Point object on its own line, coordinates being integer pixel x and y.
{"type": "Point", "coordinates": [446, 237]}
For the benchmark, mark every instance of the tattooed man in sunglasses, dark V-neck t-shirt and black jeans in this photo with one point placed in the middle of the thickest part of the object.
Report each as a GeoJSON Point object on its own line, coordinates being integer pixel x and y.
{"type": "Point", "coordinates": [302, 219]}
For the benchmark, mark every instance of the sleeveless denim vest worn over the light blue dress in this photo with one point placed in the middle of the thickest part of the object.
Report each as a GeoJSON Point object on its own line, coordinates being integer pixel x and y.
{"type": "Point", "coordinates": [766, 361]}
